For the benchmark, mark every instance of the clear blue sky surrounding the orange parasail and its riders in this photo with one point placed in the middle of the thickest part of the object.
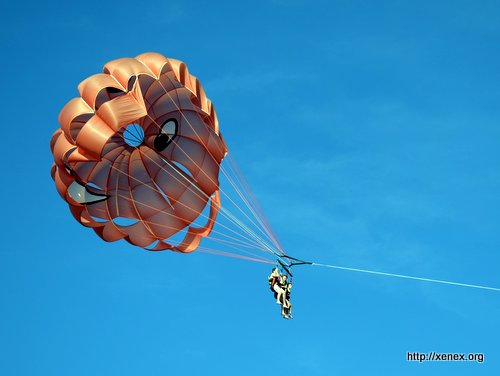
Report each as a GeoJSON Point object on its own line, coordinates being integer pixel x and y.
{"type": "Point", "coordinates": [369, 131]}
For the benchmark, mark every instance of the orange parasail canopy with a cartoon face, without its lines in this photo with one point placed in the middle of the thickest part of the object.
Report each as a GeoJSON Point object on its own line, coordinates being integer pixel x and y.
{"type": "Point", "coordinates": [141, 143]}
